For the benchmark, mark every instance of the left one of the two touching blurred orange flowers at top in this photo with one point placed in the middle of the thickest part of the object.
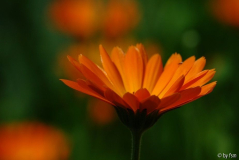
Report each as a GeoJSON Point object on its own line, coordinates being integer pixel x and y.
{"type": "Point", "coordinates": [76, 17]}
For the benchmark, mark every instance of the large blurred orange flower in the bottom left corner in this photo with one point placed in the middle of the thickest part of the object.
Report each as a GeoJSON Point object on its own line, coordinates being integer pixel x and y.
{"type": "Point", "coordinates": [32, 141]}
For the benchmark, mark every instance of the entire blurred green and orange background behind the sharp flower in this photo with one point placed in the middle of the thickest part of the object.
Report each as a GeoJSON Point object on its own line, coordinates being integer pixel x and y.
{"type": "Point", "coordinates": [42, 119]}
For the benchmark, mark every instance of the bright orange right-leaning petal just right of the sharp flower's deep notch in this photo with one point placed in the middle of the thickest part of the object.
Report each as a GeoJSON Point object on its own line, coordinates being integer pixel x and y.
{"type": "Point", "coordinates": [170, 68]}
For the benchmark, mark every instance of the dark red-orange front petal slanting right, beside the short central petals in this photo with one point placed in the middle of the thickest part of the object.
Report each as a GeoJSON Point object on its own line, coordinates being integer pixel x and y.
{"type": "Point", "coordinates": [167, 101]}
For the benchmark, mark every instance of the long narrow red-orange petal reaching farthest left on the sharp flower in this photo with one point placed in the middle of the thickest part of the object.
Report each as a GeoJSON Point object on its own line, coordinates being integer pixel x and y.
{"type": "Point", "coordinates": [82, 87]}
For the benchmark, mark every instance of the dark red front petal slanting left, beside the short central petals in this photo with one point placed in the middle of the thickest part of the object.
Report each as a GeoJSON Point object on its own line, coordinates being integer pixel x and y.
{"type": "Point", "coordinates": [116, 99]}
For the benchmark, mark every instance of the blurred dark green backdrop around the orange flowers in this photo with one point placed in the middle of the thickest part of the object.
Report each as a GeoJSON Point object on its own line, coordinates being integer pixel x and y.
{"type": "Point", "coordinates": [30, 90]}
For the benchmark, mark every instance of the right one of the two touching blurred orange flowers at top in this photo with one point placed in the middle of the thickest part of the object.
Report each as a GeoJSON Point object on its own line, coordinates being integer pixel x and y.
{"type": "Point", "coordinates": [120, 17]}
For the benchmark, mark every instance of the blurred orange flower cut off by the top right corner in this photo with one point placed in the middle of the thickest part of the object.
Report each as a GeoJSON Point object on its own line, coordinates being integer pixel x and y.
{"type": "Point", "coordinates": [226, 11]}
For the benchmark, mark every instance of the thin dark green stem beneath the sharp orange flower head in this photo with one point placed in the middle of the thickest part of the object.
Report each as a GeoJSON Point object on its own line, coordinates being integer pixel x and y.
{"type": "Point", "coordinates": [136, 141]}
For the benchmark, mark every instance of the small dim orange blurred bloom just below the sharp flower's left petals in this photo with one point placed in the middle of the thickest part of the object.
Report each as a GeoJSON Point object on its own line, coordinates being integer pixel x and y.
{"type": "Point", "coordinates": [100, 112]}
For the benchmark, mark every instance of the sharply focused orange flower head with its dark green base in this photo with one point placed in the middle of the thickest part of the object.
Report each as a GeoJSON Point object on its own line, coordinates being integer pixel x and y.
{"type": "Point", "coordinates": [138, 87]}
